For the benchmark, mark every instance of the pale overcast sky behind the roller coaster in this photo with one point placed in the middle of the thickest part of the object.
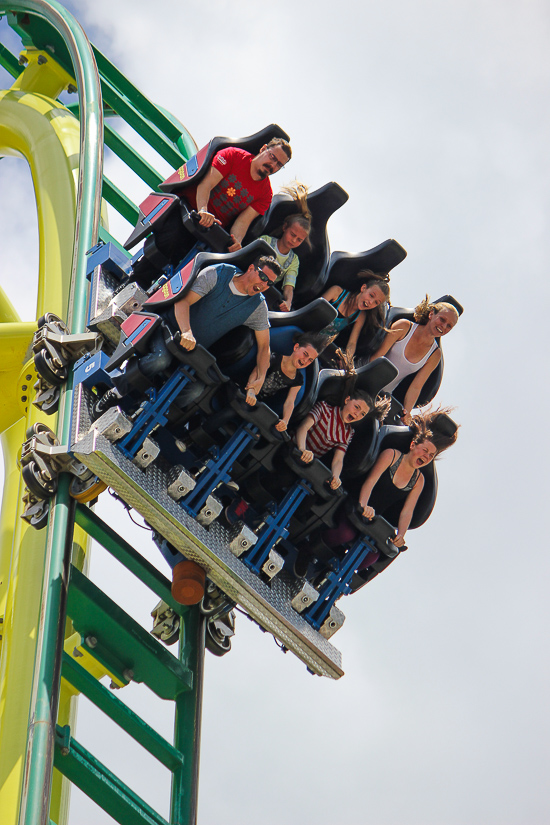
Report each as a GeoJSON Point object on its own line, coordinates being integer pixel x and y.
{"type": "Point", "coordinates": [434, 117]}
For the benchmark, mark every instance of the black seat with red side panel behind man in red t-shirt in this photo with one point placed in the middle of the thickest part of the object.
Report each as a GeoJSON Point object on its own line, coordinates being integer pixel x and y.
{"type": "Point", "coordinates": [156, 207]}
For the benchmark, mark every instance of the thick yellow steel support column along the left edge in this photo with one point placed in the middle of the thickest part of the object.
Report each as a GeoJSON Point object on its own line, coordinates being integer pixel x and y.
{"type": "Point", "coordinates": [39, 129]}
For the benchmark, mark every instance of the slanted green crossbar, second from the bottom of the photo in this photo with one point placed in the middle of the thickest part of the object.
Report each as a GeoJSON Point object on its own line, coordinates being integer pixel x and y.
{"type": "Point", "coordinates": [122, 715]}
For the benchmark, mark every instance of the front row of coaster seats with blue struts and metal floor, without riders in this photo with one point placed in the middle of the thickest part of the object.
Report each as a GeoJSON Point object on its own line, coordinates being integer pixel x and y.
{"type": "Point", "coordinates": [182, 494]}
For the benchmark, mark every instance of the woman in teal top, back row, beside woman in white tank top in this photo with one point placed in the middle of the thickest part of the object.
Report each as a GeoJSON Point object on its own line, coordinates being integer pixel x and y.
{"type": "Point", "coordinates": [361, 307]}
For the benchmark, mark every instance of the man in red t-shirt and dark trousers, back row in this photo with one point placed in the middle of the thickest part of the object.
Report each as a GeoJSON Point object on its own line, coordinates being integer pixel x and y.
{"type": "Point", "coordinates": [233, 192]}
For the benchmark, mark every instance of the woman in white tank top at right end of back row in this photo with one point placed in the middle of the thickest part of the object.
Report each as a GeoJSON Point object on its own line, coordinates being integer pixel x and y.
{"type": "Point", "coordinates": [412, 347]}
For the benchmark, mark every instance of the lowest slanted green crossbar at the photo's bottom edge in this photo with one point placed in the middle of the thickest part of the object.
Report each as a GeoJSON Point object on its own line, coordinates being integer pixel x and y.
{"type": "Point", "coordinates": [100, 784]}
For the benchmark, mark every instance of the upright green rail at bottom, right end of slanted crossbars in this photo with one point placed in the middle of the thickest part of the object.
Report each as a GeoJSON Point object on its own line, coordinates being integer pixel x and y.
{"type": "Point", "coordinates": [185, 784]}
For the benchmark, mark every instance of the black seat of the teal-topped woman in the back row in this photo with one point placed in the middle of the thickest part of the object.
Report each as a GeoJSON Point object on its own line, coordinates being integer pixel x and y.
{"type": "Point", "coordinates": [343, 270]}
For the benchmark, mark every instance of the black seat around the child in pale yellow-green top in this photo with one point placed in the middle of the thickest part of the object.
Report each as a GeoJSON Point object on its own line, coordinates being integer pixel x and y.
{"type": "Point", "coordinates": [314, 256]}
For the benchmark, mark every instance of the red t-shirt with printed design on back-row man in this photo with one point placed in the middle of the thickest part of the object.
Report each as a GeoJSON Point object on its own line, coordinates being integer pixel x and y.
{"type": "Point", "coordinates": [237, 190]}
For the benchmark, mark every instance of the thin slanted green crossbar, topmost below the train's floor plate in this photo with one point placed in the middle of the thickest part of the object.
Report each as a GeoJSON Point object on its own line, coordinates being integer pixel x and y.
{"type": "Point", "coordinates": [126, 555]}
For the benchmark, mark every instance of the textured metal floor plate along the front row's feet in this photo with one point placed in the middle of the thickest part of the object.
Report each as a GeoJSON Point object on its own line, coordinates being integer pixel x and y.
{"type": "Point", "coordinates": [145, 490]}
